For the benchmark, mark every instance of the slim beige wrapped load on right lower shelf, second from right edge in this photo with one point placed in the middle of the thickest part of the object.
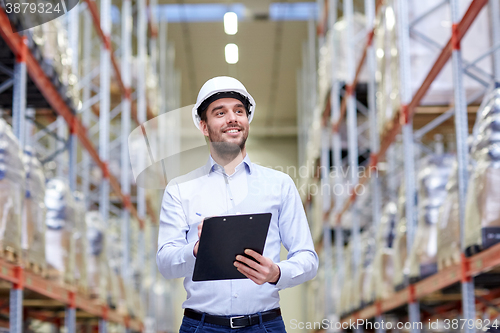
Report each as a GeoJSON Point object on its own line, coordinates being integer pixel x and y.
{"type": "Point", "coordinates": [448, 242]}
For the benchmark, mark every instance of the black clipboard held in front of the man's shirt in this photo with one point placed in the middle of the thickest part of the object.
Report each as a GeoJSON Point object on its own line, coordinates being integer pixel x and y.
{"type": "Point", "coordinates": [223, 238]}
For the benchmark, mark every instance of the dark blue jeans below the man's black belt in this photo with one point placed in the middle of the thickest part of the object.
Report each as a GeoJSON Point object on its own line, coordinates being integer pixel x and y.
{"type": "Point", "coordinates": [196, 326]}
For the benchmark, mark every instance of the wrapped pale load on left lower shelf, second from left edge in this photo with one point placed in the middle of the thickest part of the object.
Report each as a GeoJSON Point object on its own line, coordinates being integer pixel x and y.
{"type": "Point", "coordinates": [33, 218]}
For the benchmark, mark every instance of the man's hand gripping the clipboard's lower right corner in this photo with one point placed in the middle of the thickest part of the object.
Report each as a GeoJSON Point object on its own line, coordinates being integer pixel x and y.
{"type": "Point", "coordinates": [265, 270]}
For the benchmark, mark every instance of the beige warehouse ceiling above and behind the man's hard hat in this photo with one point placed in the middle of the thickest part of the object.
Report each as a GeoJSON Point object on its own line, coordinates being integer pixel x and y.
{"type": "Point", "coordinates": [270, 53]}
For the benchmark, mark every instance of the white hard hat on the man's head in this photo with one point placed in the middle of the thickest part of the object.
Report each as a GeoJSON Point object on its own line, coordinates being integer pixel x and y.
{"type": "Point", "coordinates": [221, 84]}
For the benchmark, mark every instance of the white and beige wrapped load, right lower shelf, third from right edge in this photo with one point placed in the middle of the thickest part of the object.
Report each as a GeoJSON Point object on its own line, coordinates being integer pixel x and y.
{"type": "Point", "coordinates": [431, 180]}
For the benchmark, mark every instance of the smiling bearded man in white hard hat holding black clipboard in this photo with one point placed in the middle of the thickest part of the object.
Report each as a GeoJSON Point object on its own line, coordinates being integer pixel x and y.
{"type": "Point", "coordinates": [230, 184]}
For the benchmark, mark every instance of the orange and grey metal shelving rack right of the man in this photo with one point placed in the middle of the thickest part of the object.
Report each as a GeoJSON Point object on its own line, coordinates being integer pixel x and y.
{"type": "Point", "coordinates": [381, 144]}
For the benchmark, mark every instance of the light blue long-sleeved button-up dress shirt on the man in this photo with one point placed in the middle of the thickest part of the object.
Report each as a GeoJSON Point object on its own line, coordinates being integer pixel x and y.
{"type": "Point", "coordinates": [252, 188]}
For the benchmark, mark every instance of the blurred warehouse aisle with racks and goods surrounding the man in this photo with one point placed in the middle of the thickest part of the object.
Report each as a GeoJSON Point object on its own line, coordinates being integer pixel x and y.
{"type": "Point", "coordinates": [384, 113]}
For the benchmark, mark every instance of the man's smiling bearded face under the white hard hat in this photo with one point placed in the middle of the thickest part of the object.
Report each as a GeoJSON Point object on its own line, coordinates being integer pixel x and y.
{"type": "Point", "coordinates": [226, 121]}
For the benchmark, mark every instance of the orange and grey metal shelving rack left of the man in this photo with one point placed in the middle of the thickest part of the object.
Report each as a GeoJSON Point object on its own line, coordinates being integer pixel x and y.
{"type": "Point", "coordinates": [83, 126]}
